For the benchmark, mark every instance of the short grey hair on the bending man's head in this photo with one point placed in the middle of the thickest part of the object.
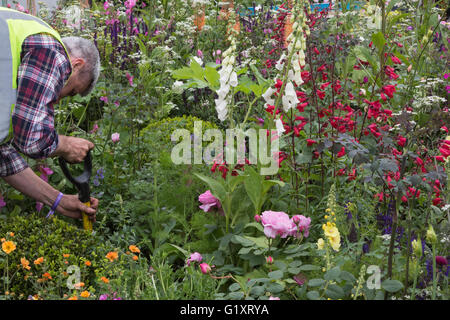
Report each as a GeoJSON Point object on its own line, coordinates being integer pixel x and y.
{"type": "Point", "coordinates": [82, 48]}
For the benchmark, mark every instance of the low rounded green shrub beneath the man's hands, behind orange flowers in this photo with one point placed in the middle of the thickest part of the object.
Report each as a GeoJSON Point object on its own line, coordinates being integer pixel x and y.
{"type": "Point", "coordinates": [35, 237]}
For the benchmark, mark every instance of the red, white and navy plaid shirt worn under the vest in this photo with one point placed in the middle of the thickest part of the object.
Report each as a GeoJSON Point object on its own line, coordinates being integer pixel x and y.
{"type": "Point", "coordinates": [42, 73]}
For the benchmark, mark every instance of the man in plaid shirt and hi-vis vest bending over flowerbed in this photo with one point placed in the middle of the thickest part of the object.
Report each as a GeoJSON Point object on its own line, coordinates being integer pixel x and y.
{"type": "Point", "coordinates": [37, 69]}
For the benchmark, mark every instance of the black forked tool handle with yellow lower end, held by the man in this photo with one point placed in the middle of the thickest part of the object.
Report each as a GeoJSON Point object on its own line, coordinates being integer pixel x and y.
{"type": "Point", "coordinates": [82, 184]}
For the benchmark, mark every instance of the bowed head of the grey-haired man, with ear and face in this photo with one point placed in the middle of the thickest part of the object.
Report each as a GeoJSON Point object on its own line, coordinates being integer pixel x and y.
{"type": "Point", "coordinates": [85, 61]}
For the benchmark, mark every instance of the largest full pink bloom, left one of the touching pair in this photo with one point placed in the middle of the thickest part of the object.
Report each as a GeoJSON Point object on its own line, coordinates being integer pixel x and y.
{"type": "Point", "coordinates": [277, 223]}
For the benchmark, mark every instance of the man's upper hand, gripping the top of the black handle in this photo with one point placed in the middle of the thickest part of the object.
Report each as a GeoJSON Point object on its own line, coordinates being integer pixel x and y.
{"type": "Point", "coordinates": [73, 149]}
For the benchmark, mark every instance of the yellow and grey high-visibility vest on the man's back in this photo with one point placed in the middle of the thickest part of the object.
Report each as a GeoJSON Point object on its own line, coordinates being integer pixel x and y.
{"type": "Point", "coordinates": [15, 27]}
